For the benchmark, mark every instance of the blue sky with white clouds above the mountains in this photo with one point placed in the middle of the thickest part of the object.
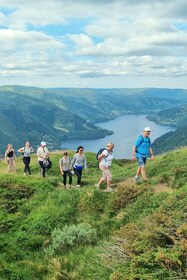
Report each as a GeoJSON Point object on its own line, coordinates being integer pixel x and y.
{"type": "Point", "coordinates": [96, 44]}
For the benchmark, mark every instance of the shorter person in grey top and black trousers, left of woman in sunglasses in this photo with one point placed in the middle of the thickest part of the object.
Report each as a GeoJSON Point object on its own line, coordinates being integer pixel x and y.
{"type": "Point", "coordinates": [65, 168]}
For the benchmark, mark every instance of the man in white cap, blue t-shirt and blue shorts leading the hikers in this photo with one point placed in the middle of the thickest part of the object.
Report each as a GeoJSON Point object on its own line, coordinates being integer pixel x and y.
{"type": "Point", "coordinates": [141, 151]}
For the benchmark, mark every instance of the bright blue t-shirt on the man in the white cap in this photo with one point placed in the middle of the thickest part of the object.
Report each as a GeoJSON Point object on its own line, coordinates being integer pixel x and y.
{"type": "Point", "coordinates": [142, 146]}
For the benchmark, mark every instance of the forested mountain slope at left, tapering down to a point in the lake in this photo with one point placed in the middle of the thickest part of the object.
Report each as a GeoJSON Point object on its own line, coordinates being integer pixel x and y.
{"type": "Point", "coordinates": [26, 118]}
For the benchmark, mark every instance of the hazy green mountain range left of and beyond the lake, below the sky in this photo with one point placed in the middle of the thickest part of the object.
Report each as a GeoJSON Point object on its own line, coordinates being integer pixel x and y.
{"type": "Point", "coordinates": [57, 114]}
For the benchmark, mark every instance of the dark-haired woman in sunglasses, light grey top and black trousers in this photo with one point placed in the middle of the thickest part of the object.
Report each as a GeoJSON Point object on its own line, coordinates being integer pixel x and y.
{"type": "Point", "coordinates": [78, 163]}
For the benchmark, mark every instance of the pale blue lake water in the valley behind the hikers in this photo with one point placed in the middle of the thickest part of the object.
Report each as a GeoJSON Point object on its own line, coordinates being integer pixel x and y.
{"type": "Point", "coordinates": [126, 130]}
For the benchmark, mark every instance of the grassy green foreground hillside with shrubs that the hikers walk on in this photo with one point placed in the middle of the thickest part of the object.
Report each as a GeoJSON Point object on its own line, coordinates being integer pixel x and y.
{"type": "Point", "coordinates": [137, 232]}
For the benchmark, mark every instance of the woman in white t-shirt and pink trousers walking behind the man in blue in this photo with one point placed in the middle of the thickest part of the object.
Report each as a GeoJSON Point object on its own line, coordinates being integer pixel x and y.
{"type": "Point", "coordinates": [105, 161]}
